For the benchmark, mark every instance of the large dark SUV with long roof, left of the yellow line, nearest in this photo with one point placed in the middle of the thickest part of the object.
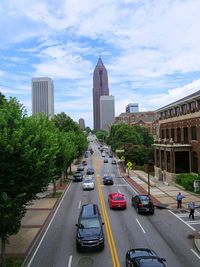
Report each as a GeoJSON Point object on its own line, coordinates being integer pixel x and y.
{"type": "Point", "coordinates": [89, 233]}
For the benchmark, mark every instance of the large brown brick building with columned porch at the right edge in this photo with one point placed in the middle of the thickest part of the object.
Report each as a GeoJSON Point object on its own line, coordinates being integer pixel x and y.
{"type": "Point", "coordinates": [177, 150]}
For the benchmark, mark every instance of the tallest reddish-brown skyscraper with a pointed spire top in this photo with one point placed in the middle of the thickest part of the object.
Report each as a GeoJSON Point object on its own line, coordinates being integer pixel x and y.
{"type": "Point", "coordinates": [100, 87]}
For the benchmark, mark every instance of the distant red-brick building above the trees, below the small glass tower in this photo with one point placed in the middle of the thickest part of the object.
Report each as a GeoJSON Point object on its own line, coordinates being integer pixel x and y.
{"type": "Point", "coordinates": [148, 119]}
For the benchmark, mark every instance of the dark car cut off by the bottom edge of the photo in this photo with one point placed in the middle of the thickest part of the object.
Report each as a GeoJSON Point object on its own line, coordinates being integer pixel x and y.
{"type": "Point", "coordinates": [143, 257]}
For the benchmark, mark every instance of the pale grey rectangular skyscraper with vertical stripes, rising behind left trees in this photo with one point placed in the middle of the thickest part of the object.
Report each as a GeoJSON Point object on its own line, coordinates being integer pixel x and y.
{"type": "Point", "coordinates": [43, 96]}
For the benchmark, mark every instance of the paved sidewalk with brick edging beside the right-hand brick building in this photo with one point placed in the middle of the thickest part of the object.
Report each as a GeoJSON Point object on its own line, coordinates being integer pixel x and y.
{"type": "Point", "coordinates": [163, 196]}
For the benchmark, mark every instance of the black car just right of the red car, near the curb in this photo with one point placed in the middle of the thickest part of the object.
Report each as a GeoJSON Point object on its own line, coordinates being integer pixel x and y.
{"type": "Point", "coordinates": [143, 204]}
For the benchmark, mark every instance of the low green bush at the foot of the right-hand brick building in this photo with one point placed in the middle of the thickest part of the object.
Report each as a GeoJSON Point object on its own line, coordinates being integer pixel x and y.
{"type": "Point", "coordinates": [187, 180]}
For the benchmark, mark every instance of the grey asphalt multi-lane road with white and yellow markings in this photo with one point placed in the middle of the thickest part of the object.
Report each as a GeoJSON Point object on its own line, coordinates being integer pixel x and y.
{"type": "Point", "coordinates": [124, 229]}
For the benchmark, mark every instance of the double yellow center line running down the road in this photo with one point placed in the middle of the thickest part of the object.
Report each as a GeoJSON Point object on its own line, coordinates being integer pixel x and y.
{"type": "Point", "coordinates": [111, 242]}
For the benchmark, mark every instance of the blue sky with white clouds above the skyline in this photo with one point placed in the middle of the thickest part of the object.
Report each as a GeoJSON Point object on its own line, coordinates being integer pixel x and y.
{"type": "Point", "coordinates": [150, 48]}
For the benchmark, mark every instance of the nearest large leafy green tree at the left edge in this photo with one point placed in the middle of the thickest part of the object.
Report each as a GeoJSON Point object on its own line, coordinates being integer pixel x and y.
{"type": "Point", "coordinates": [28, 150]}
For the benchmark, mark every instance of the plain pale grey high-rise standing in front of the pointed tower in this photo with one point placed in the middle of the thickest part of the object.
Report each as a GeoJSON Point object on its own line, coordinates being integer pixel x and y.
{"type": "Point", "coordinates": [107, 112]}
